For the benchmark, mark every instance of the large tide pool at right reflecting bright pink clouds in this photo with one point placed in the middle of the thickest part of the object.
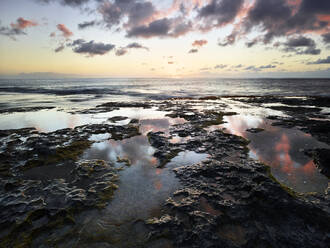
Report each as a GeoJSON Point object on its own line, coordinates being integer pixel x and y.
{"type": "Point", "coordinates": [282, 149]}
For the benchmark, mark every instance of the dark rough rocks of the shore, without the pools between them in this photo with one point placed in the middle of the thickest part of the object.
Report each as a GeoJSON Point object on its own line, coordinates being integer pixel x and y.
{"type": "Point", "coordinates": [227, 200]}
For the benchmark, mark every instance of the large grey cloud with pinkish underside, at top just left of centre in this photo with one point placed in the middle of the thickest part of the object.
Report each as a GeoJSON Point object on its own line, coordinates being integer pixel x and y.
{"type": "Point", "coordinates": [139, 18]}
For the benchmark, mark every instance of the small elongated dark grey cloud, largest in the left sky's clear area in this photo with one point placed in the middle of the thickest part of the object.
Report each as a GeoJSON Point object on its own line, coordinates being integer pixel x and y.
{"type": "Point", "coordinates": [91, 48]}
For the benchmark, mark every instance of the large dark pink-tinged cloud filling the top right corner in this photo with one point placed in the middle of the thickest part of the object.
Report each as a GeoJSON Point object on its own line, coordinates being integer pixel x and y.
{"type": "Point", "coordinates": [278, 18]}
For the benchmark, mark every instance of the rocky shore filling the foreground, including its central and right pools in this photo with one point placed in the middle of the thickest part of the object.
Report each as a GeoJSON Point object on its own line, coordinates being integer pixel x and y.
{"type": "Point", "coordinates": [182, 173]}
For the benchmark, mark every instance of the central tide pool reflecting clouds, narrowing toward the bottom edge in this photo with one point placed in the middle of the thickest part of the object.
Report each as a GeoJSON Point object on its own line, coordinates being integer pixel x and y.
{"type": "Point", "coordinates": [143, 188]}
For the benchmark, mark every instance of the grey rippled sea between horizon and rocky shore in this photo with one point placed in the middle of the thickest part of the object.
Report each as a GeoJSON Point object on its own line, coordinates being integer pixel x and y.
{"type": "Point", "coordinates": [84, 91]}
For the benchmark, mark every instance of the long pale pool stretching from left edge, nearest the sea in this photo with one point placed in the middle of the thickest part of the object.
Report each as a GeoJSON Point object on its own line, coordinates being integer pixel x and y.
{"type": "Point", "coordinates": [52, 120]}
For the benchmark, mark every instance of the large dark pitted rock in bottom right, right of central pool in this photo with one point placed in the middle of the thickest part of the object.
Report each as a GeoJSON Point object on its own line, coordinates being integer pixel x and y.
{"type": "Point", "coordinates": [225, 204]}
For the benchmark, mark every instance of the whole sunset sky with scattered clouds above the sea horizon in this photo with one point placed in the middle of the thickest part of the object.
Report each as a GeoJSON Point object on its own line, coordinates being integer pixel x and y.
{"type": "Point", "coordinates": [165, 38]}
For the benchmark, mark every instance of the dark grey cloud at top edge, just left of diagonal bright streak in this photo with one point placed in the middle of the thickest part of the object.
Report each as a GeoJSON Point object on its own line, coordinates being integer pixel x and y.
{"type": "Point", "coordinates": [219, 12]}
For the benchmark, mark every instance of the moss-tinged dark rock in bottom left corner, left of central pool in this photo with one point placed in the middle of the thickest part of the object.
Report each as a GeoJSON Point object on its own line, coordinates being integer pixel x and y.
{"type": "Point", "coordinates": [29, 208]}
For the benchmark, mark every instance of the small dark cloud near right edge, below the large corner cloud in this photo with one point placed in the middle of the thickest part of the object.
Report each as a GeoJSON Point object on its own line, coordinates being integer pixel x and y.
{"type": "Point", "coordinates": [301, 45]}
